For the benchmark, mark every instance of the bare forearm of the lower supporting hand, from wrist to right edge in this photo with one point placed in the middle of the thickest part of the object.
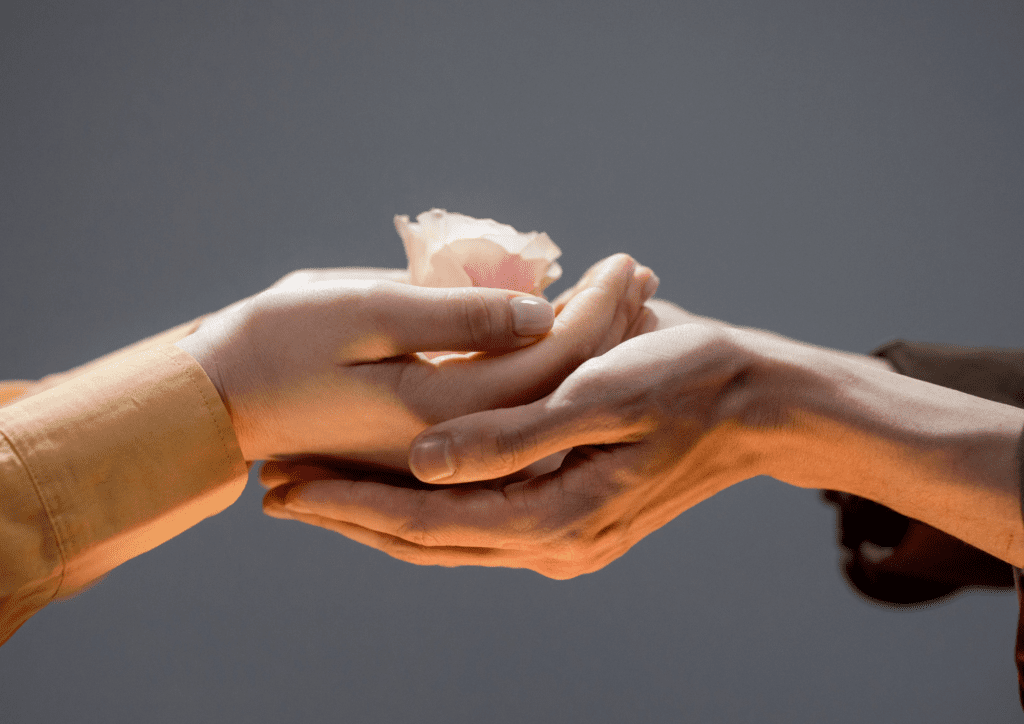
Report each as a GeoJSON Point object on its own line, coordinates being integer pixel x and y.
{"type": "Point", "coordinates": [941, 456]}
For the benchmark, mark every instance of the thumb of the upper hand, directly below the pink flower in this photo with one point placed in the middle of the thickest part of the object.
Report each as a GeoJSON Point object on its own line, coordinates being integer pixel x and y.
{"type": "Point", "coordinates": [475, 319]}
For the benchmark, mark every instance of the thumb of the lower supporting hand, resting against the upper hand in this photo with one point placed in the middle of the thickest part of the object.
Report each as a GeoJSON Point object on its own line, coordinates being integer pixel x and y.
{"type": "Point", "coordinates": [497, 443]}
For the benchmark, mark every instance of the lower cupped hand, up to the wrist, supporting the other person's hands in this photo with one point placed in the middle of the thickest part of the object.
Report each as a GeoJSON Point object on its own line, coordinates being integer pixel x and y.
{"type": "Point", "coordinates": [654, 424]}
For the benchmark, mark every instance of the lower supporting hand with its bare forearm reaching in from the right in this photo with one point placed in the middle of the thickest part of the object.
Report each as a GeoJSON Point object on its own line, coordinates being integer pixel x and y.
{"type": "Point", "coordinates": [659, 424]}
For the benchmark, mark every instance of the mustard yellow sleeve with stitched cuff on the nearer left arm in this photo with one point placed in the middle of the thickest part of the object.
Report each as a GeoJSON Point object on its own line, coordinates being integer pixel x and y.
{"type": "Point", "coordinates": [104, 463]}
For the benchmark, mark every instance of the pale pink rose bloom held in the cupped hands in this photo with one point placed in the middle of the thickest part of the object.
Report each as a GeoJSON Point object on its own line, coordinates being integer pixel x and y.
{"type": "Point", "coordinates": [453, 250]}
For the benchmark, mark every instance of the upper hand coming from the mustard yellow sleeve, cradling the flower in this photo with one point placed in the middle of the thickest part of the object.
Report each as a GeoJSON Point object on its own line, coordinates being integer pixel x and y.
{"type": "Point", "coordinates": [328, 366]}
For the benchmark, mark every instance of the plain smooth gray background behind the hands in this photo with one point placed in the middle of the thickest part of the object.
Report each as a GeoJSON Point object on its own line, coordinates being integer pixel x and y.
{"type": "Point", "coordinates": [843, 174]}
